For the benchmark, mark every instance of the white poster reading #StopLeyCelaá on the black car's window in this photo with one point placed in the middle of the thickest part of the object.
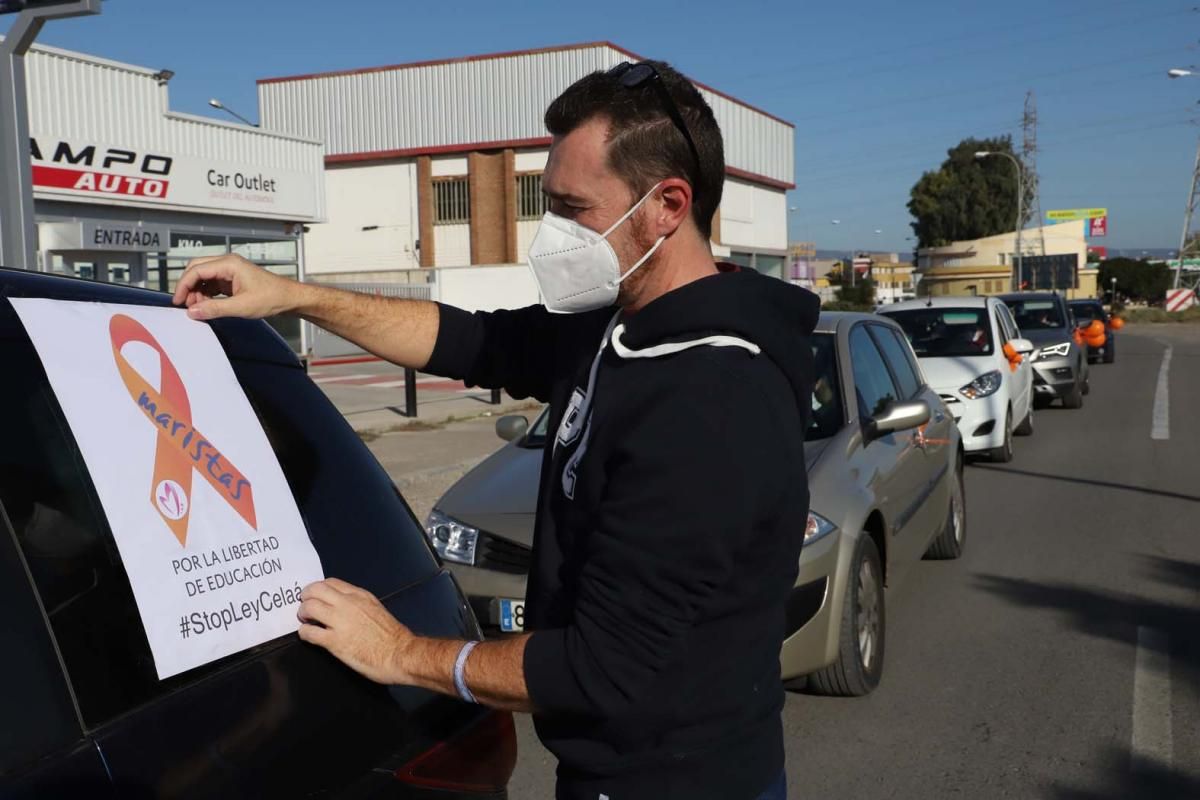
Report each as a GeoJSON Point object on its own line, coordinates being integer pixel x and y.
{"type": "Point", "coordinates": [205, 520]}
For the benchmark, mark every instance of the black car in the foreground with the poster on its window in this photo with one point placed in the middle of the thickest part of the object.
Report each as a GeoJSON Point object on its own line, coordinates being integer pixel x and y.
{"type": "Point", "coordinates": [86, 714]}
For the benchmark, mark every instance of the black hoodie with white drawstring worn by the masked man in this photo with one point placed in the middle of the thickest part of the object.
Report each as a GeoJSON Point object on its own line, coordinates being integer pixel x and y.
{"type": "Point", "coordinates": [670, 521]}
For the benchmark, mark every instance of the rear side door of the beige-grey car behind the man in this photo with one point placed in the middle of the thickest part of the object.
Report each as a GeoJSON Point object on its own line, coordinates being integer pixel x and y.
{"type": "Point", "coordinates": [925, 460]}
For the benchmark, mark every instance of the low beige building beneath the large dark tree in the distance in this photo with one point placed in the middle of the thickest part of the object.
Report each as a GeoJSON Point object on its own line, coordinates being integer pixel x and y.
{"type": "Point", "coordinates": [988, 266]}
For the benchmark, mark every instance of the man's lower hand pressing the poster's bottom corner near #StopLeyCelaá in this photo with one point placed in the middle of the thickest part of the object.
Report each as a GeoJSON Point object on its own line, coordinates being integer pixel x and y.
{"type": "Point", "coordinates": [358, 630]}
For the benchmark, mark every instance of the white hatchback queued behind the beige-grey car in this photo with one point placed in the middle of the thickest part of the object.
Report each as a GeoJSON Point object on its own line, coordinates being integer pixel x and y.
{"type": "Point", "coordinates": [974, 357]}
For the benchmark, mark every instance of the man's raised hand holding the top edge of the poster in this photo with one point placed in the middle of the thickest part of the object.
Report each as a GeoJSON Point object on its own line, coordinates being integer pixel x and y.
{"type": "Point", "coordinates": [250, 291]}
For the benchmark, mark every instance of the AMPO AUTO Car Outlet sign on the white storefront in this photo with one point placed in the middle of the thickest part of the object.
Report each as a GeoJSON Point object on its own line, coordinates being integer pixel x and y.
{"type": "Point", "coordinates": [101, 173]}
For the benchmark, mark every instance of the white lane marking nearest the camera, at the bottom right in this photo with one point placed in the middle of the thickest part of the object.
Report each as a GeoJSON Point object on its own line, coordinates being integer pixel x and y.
{"type": "Point", "coordinates": [1151, 702]}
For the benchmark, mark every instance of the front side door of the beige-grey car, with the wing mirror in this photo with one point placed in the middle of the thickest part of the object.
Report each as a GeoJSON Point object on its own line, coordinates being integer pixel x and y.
{"type": "Point", "coordinates": [892, 465]}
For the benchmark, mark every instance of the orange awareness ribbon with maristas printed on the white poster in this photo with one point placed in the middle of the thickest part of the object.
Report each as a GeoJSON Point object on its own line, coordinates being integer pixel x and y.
{"type": "Point", "coordinates": [181, 448]}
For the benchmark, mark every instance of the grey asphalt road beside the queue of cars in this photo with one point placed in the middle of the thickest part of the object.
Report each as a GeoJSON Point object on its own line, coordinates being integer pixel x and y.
{"type": "Point", "coordinates": [1060, 657]}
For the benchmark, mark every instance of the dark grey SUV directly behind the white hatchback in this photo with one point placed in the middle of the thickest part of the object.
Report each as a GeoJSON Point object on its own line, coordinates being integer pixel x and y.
{"type": "Point", "coordinates": [1060, 364]}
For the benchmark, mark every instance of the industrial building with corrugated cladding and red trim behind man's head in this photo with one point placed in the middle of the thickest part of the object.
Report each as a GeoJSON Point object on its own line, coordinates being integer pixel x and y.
{"type": "Point", "coordinates": [439, 164]}
